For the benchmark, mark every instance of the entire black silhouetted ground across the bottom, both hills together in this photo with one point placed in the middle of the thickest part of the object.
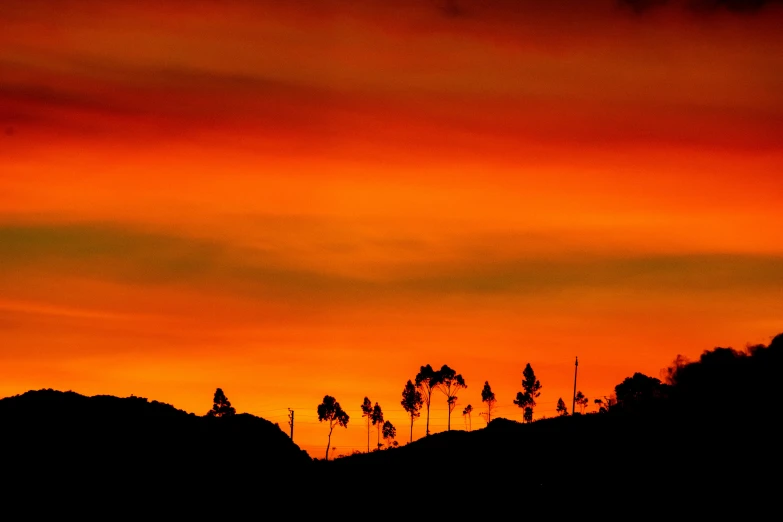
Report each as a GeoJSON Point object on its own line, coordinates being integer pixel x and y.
{"type": "Point", "coordinates": [708, 437]}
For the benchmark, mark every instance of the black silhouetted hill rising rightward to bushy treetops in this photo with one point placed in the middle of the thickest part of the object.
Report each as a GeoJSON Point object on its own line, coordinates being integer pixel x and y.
{"type": "Point", "coordinates": [711, 431]}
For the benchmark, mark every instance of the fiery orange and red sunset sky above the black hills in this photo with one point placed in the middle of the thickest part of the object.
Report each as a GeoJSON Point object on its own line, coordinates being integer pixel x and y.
{"type": "Point", "coordinates": [300, 198]}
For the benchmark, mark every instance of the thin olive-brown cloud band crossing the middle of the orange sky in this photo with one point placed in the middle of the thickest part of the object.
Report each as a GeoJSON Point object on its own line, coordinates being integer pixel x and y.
{"type": "Point", "coordinates": [138, 258]}
